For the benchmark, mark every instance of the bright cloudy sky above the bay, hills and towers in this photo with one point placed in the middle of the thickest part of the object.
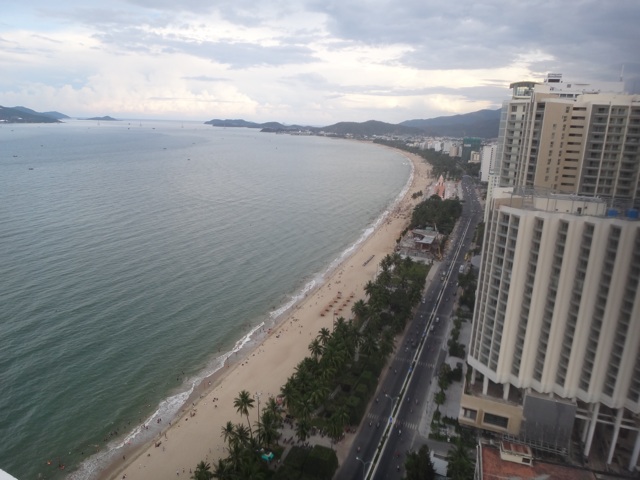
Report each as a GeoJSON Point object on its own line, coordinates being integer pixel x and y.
{"type": "Point", "coordinates": [312, 62]}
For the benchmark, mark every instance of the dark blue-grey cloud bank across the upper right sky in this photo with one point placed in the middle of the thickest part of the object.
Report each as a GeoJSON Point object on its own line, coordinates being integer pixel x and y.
{"type": "Point", "coordinates": [489, 34]}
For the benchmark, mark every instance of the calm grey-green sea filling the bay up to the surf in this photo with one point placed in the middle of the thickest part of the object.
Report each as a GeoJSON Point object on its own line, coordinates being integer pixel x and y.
{"type": "Point", "coordinates": [135, 256]}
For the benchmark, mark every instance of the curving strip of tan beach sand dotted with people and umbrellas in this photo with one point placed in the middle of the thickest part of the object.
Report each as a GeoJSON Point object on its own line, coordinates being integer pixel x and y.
{"type": "Point", "coordinates": [195, 434]}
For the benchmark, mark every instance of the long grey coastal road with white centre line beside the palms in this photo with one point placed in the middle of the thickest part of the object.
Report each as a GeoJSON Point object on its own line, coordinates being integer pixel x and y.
{"type": "Point", "coordinates": [404, 389]}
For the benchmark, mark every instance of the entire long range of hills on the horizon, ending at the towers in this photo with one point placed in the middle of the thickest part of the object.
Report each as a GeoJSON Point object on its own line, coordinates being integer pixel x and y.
{"type": "Point", "coordinates": [483, 124]}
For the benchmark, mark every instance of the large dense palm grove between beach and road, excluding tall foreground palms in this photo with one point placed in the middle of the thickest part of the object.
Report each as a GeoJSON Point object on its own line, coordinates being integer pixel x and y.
{"type": "Point", "coordinates": [313, 387]}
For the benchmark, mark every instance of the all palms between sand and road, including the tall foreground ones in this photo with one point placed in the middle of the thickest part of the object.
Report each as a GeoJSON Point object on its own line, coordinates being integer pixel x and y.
{"type": "Point", "coordinates": [310, 393]}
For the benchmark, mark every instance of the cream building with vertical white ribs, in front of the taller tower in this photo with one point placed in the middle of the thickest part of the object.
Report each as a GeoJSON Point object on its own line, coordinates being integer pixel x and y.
{"type": "Point", "coordinates": [555, 340]}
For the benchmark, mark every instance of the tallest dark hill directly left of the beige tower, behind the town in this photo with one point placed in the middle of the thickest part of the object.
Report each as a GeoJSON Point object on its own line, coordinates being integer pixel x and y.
{"type": "Point", "coordinates": [483, 124]}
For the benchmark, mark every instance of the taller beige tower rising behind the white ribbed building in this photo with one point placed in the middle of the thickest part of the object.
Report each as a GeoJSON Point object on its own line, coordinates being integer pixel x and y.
{"type": "Point", "coordinates": [572, 138]}
